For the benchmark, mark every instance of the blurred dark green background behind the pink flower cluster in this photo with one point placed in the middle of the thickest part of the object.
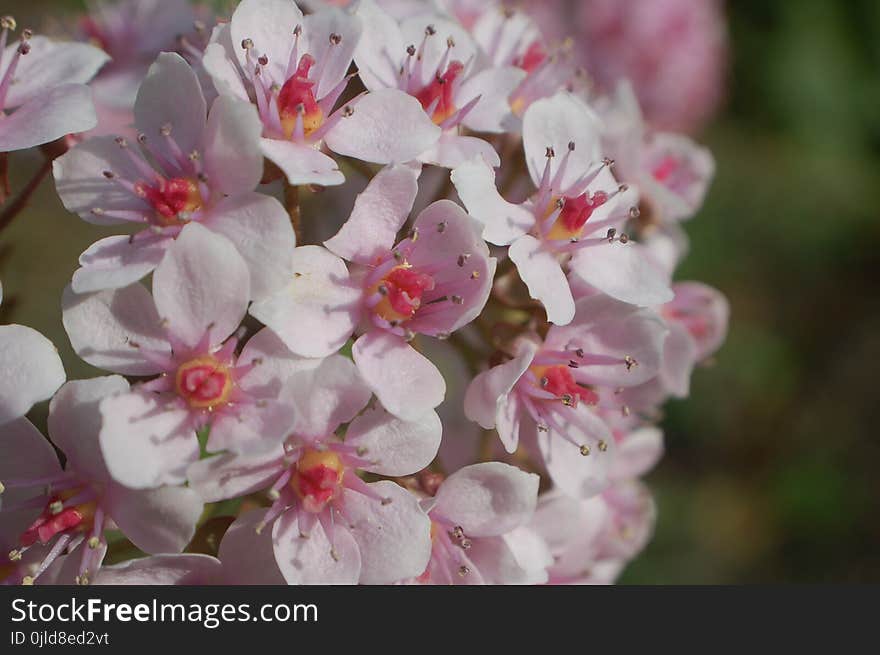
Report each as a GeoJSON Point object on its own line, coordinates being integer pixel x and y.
{"type": "Point", "coordinates": [771, 472]}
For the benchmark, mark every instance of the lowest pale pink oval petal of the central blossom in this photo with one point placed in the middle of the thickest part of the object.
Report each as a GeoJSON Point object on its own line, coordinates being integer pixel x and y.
{"type": "Point", "coordinates": [407, 384]}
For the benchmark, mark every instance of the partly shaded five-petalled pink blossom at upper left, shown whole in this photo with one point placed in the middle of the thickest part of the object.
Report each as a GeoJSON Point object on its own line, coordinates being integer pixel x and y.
{"type": "Point", "coordinates": [188, 165]}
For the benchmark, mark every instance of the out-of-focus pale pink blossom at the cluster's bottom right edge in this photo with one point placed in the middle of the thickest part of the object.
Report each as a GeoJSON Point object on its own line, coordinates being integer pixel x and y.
{"type": "Point", "coordinates": [591, 540]}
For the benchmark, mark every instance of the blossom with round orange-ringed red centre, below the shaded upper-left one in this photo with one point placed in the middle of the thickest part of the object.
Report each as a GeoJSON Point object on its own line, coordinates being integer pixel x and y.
{"type": "Point", "coordinates": [181, 335]}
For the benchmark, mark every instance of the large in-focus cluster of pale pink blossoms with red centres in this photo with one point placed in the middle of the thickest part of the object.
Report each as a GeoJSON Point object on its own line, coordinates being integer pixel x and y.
{"type": "Point", "coordinates": [460, 386]}
